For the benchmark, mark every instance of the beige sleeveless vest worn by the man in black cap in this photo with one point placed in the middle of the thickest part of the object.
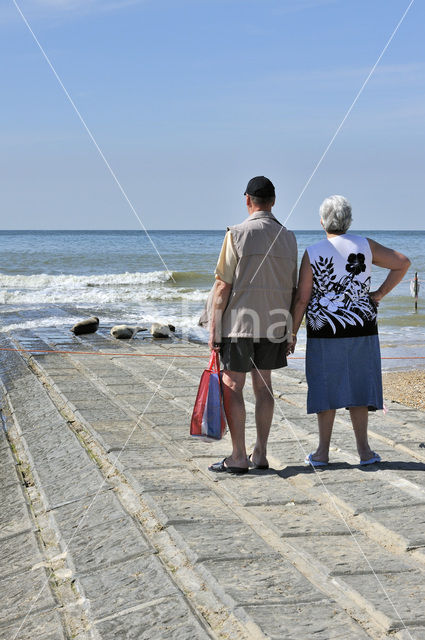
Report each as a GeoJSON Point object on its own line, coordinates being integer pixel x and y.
{"type": "Point", "coordinates": [262, 286]}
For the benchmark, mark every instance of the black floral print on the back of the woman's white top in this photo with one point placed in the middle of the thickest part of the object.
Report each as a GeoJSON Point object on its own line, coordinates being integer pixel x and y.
{"type": "Point", "coordinates": [342, 302]}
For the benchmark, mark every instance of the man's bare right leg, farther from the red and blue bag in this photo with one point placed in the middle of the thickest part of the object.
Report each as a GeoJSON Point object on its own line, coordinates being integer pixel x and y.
{"type": "Point", "coordinates": [264, 406]}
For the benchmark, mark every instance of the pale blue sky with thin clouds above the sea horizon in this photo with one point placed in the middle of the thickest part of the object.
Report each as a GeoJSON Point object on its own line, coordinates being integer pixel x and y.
{"type": "Point", "coordinates": [188, 99]}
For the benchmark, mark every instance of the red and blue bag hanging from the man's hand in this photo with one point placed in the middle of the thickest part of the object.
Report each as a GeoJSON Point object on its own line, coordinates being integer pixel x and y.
{"type": "Point", "coordinates": [208, 418]}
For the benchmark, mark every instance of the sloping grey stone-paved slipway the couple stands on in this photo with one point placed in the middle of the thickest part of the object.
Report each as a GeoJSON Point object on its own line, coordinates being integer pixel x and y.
{"type": "Point", "coordinates": [111, 526]}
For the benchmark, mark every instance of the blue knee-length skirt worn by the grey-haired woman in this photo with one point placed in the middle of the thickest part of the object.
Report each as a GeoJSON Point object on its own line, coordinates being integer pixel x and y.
{"type": "Point", "coordinates": [343, 372]}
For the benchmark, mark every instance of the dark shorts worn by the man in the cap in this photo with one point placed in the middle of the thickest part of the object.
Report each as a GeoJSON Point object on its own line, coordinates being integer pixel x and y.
{"type": "Point", "coordinates": [244, 354]}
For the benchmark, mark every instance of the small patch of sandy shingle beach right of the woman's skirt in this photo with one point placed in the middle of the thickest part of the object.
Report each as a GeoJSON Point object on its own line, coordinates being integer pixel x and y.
{"type": "Point", "coordinates": [405, 387]}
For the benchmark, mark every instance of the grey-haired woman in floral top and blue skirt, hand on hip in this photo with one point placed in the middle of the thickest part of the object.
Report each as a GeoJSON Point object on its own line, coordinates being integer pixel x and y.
{"type": "Point", "coordinates": [343, 362]}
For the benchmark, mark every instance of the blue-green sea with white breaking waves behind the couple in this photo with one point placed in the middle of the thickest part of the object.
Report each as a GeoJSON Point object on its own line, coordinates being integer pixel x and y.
{"type": "Point", "coordinates": [53, 278]}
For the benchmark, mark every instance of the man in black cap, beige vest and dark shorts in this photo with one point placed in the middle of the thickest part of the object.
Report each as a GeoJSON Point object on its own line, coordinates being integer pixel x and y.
{"type": "Point", "coordinates": [255, 280]}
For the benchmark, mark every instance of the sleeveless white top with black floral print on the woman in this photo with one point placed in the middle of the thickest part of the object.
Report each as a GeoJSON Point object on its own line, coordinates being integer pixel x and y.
{"type": "Point", "coordinates": [340, 305]}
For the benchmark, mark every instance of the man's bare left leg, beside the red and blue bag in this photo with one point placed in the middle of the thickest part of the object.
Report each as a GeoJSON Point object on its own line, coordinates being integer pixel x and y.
{"type": "Point", "coordinates": [234, 405]}
